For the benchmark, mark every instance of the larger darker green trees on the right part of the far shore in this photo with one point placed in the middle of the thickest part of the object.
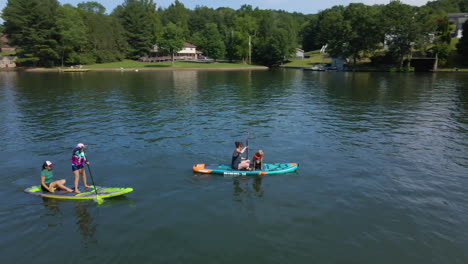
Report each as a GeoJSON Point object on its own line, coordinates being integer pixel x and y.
{"type": "Point", "coordinates": [360, 31]}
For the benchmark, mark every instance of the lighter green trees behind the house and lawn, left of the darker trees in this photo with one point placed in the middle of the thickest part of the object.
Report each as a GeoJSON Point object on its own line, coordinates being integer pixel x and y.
{"type": "Point", "coordinates": [49, 34]}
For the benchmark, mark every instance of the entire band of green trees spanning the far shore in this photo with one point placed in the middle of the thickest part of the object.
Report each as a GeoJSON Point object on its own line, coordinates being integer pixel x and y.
{"type": "Point", "coordinates": [50, 34]}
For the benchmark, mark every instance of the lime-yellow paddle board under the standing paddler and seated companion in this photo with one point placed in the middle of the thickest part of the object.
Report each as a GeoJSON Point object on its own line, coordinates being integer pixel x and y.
{"type": "Point", "coordinates": [88, 194]}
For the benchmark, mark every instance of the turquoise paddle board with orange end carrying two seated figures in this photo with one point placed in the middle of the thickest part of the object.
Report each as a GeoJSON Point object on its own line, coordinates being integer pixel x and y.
{"type": "Point", "coordinates": [268, 168]}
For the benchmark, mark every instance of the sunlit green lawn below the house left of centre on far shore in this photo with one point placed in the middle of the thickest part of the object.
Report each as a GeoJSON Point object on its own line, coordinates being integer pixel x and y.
{"type": "Point", "coordinates": [131, 64]}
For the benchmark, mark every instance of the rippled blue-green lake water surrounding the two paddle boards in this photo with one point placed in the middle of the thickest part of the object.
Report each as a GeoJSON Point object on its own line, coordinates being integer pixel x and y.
{"type": "Point", "coordinates": [383, 175]}
